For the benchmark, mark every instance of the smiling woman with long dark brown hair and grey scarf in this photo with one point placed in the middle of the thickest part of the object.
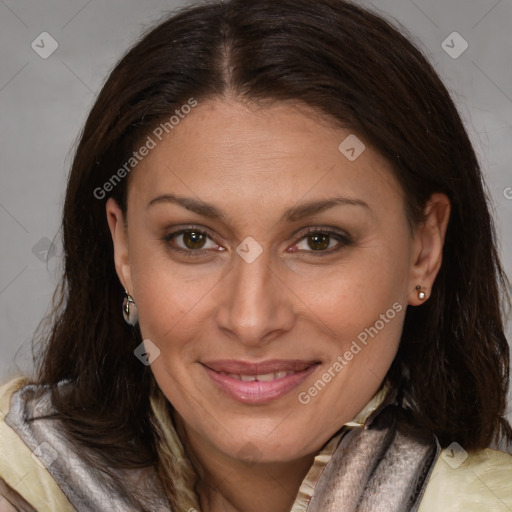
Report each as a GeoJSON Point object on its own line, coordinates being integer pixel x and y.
{"type": "Point", "coordinates": [281, 287]}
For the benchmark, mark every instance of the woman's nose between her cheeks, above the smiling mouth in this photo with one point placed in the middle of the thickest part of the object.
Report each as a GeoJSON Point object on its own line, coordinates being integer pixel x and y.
{"type": "Point", "coordinates": [256, 305]}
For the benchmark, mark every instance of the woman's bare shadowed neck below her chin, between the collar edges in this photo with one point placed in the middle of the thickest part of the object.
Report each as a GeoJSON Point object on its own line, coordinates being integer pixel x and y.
{"type": "Point", "coordinates": [228, 484]}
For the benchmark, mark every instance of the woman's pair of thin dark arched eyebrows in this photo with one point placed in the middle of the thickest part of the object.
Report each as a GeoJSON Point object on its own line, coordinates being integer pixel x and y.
{"type": "Point", "coordinates": [291, 215]}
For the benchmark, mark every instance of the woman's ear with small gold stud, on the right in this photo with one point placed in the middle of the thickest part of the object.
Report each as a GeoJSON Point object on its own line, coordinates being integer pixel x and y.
{"type": "Point", "coordinates": [428, 242]}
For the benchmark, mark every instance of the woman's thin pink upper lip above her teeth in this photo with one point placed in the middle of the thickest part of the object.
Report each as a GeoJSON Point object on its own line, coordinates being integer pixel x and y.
{"type": "Point", "coordinates": [260, 368]}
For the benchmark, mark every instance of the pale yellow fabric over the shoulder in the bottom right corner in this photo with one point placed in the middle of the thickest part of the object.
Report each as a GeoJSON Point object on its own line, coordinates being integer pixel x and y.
{"type": "Point", "coordinates": [469, 482]}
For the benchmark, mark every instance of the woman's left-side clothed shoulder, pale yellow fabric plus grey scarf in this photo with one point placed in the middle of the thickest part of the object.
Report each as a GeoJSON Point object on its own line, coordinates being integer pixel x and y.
{"type": "Point", "coordinates": [42, 464]}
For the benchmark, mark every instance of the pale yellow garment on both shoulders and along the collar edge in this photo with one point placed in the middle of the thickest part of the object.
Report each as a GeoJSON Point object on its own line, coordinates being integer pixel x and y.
{"type": "Point", "coordinates": [482, 482]}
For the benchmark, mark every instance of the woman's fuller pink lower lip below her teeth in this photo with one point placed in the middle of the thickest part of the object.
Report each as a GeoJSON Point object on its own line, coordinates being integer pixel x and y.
{"type": "Point", "coordinates": [259, 392]}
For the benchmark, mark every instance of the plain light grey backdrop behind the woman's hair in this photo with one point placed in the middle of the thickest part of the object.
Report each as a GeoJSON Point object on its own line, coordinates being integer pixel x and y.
{"type": "Point", "coordinates": [44, 102]}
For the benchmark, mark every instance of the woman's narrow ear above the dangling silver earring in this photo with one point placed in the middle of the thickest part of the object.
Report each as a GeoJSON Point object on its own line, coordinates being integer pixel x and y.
{"type": "Point", "coordinates": [117, 226]}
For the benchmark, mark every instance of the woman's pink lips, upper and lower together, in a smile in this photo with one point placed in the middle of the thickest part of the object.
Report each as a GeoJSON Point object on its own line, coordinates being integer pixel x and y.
{"type": "Point", "coordinates": [258, 392]}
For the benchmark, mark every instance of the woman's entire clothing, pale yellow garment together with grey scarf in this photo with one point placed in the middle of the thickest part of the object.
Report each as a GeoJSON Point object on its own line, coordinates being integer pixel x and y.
{"type": "Point", "coordinates": [378, 462]}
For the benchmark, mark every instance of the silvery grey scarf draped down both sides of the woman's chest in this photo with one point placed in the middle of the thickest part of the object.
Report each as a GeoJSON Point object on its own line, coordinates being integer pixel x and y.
{"type": "Point", "coordinates": [380, 466]}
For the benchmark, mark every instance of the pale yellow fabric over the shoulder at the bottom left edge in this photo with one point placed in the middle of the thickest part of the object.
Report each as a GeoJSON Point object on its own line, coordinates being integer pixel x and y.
{"type": "Point", "coordinates": [20, 468]}
